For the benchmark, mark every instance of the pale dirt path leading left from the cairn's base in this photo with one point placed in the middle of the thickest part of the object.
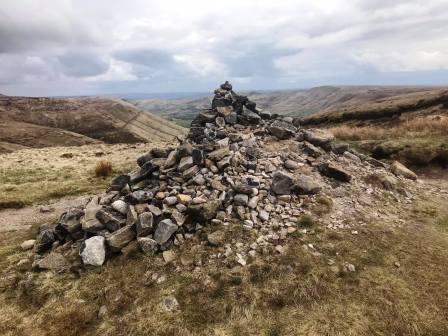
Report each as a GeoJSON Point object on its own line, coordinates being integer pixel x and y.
{"type": "Point", "coordinates": [23, 219]}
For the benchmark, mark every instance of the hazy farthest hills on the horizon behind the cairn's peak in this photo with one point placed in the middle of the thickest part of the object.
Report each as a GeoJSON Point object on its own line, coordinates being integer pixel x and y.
{"type": "Point", "coordinates": [297, 103]}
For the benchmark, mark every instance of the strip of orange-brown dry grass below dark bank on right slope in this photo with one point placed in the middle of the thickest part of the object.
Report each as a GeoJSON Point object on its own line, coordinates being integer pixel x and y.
{"type": "Point", "coordinates": [423, 126]}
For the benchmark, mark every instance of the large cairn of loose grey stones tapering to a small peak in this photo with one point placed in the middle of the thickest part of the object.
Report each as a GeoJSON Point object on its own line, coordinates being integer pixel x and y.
{"type": "Point", "coordinates": [221, 174]}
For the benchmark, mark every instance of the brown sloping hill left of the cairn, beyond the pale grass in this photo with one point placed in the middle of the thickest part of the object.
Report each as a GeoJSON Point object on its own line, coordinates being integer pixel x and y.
{"type": "Point", "coordinates": [42, 122]}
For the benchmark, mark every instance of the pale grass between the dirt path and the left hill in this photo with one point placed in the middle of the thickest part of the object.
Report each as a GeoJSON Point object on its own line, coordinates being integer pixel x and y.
{"type": "Point", "coordinates": [49, 175]}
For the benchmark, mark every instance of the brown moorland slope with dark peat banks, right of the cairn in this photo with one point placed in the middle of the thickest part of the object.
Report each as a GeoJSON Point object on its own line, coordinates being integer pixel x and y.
{"type": "Point", "coordinates": [411, 127]}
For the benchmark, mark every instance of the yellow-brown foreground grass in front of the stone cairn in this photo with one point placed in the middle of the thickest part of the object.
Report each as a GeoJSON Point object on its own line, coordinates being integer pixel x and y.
{"type": "Point", "coordinates": [295, 293]}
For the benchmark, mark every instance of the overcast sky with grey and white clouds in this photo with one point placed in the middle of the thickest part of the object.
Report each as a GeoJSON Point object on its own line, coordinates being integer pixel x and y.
{"type": "Point", "coordinates": [72, 47]}
